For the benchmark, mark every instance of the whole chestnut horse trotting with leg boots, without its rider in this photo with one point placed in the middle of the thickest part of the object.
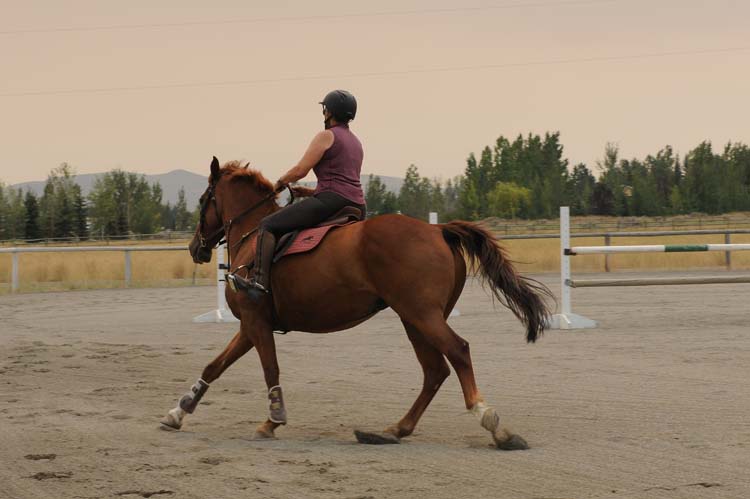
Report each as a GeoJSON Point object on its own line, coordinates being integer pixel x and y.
{"type": "Point", "coordinates": [394, 261]}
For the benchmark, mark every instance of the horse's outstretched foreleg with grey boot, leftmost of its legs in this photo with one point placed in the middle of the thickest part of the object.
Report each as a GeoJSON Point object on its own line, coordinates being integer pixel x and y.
{"type": "Point", "coordinates": [238, 347]}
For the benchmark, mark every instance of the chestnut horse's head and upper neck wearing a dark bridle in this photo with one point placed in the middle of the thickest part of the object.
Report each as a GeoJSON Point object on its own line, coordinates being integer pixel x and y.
{"type": "Point", "coordinates": [230, 188]}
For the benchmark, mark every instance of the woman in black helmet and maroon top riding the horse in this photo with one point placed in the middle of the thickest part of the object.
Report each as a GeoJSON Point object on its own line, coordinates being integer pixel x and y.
{"type": "Point", "coordinates": [335, 155]}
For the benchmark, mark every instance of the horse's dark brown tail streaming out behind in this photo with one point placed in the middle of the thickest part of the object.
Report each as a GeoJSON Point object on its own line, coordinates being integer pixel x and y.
{"type": "Point", "coordinates": [522, 295]}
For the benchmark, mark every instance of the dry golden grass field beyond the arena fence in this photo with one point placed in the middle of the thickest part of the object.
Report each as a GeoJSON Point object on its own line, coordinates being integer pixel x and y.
{"type": "Point", "coordinates": [65, 271]}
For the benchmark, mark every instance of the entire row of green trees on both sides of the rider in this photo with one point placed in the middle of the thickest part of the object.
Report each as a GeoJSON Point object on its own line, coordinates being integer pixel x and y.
{"type": "Point", "coordinates": [527, 177]}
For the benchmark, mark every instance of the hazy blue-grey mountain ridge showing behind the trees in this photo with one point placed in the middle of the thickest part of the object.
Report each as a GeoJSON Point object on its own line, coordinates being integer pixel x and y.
{"type": "Point", "coordinates": [171, 183]}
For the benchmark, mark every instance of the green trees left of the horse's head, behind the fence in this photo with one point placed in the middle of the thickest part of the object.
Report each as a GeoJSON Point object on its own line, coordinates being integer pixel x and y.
{"type": "Point", "coordinates": [119, 204]}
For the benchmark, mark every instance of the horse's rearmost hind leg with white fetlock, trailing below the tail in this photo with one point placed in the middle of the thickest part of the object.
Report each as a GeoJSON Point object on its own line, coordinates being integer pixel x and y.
{"type": "Point", "coordinates": [440, 335]}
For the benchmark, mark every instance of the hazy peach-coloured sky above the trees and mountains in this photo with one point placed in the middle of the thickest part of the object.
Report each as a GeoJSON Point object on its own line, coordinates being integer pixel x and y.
{"type": "Point", "coordinates": [406, 114]}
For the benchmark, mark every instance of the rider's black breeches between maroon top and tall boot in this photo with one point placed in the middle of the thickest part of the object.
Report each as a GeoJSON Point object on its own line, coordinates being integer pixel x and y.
{"type": "Point", "coordinates": [307, 213]}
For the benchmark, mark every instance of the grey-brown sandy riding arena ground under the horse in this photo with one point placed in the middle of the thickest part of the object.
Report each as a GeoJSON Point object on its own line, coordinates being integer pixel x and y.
{"type": "Point", "coordinates": [653, 404]}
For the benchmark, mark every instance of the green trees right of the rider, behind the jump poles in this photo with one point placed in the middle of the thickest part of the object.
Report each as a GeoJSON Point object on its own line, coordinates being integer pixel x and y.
{"type": "Point", "coordinates": [530, 178]}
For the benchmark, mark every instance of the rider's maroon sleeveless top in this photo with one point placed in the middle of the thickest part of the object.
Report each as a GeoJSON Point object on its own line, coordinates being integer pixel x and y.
{"type": "Point", "coordinates": [339, 169]}
